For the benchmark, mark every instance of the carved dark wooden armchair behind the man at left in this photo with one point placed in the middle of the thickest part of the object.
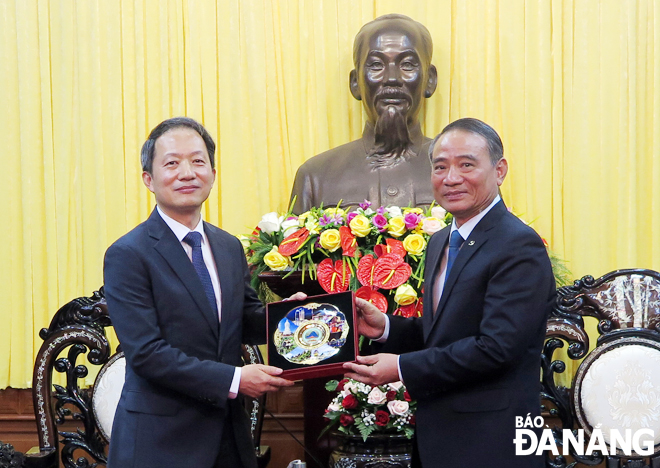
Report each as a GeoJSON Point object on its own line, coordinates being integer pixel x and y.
{"type": "Point", "coordinates": [79, 328]}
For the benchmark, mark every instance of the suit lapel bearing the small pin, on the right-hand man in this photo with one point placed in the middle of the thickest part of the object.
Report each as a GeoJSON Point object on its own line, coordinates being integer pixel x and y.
{"type": "Point", "coordinates": [477, 238]}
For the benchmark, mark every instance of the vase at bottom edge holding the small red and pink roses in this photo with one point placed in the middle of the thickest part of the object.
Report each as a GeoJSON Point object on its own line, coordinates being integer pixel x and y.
{"type": "Point", "coordinates": [379, 450]}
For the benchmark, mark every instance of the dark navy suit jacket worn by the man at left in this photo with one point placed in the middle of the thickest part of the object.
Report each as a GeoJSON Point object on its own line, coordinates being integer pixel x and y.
{"type": "Point", "coordinates": [179, 362]}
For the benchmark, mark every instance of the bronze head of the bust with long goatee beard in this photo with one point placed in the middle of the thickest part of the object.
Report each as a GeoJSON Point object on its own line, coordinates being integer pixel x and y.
{"type": "Point", "coordinates": [393, 73]}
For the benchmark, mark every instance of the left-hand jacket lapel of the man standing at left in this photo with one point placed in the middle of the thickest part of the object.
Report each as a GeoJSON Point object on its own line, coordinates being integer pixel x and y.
{"type": "Point", "coordinates": [169, 247]}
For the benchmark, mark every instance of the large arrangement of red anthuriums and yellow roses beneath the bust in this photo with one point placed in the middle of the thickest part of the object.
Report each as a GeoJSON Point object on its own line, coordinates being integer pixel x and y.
{"type": "Point", "coordinates": [378, 252]}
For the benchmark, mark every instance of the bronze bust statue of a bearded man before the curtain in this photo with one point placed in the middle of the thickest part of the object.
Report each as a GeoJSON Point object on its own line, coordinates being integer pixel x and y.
{"type": "Point", "coordinates": [389, 165]}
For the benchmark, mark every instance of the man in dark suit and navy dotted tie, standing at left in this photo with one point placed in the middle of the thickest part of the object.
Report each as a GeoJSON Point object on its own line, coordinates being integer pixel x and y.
{"type": "Point", "coordinates": [179, 298]}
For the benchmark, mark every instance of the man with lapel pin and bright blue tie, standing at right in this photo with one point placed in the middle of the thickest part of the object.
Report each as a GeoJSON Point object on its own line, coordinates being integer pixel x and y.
{"type": "Point", "coordinates": [473, 360]}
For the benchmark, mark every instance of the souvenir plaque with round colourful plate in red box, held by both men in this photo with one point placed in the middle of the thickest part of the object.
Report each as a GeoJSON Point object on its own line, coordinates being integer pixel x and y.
{"type": "Point", "coordinates": [313, 337]}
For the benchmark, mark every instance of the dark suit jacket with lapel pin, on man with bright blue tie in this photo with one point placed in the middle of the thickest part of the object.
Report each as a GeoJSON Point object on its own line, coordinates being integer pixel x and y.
{"type": "Point", "coordinates": [474, 365]}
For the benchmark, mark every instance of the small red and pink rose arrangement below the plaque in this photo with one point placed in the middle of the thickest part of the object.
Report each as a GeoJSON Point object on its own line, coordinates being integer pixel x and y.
{"type": "Point", "coordinates": [362, 409]}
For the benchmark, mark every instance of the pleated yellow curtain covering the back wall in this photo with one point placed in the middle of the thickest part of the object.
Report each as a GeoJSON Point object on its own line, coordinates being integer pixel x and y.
{"type": "Point", "coordinates": [571, 85]}
